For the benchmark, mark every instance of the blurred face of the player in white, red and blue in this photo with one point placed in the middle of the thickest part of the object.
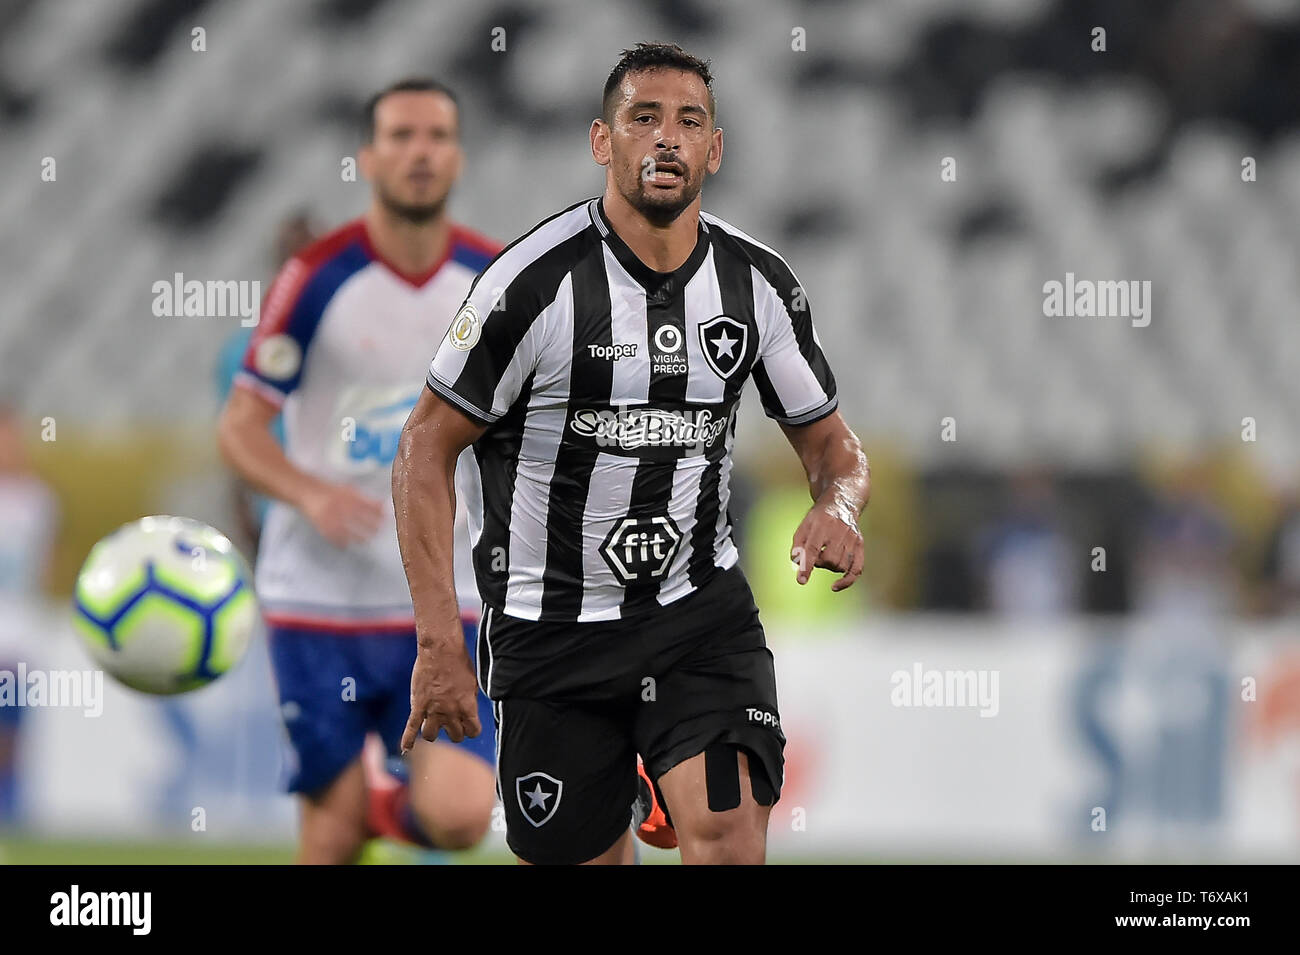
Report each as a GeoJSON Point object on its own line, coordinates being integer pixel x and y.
{"type": "Point", "coordinates": [415, 155]}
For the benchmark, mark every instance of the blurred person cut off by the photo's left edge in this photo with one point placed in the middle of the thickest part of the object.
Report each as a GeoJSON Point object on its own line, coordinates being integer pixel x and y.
{"type": "Point", "coordinates": [28, 520]}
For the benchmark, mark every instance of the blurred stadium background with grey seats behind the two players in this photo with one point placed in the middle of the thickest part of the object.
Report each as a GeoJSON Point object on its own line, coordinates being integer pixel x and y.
{"type": "Point", "coordinates": [1146, 711]}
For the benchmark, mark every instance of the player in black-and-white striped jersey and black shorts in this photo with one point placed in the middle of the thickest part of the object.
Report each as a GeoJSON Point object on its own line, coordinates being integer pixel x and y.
{"type": "Point", "coordinates": [596, 368]}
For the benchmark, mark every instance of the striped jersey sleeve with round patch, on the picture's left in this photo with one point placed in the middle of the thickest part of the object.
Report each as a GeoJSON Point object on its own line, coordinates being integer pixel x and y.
{"type": "Point", "coordinates": [491, 349]}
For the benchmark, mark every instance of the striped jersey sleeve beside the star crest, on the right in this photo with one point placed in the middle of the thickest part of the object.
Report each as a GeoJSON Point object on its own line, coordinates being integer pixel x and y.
{"type": "Point", "coordinates": [794, 377]}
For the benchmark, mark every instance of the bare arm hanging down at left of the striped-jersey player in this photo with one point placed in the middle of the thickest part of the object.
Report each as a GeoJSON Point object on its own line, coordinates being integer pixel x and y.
{"type": "Point", "coordinates": [443, 683]}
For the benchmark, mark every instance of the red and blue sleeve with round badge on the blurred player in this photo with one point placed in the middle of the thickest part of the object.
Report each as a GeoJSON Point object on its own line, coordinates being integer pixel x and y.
{"type": "Point", "coordinates": [274, 362]}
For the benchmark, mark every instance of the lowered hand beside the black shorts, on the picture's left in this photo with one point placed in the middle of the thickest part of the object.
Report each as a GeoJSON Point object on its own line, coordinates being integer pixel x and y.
{"type": "Point", "coordinates": [444, 694]}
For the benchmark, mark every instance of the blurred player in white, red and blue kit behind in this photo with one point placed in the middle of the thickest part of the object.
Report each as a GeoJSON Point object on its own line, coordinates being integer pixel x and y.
{"type": "Point", "coordinates": [337, 348]}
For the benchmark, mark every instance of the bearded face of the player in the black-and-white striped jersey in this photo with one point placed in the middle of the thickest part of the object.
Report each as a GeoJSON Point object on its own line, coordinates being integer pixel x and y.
{"type": "Point", "coordinates": [661, 144]}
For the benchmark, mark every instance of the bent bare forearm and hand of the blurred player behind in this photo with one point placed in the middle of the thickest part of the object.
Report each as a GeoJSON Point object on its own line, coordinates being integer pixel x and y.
{"type": "Point", "coordinates": [341, 514]}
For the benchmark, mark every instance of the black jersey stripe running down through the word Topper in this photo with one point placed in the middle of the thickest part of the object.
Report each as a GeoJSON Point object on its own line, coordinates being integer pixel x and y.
{"type": "Point", "coordinates": [564, 580]}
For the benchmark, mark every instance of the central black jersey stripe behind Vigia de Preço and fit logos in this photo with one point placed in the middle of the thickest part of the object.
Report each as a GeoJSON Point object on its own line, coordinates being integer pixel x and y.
{"type": "Point", "coordinates": [652, 488]}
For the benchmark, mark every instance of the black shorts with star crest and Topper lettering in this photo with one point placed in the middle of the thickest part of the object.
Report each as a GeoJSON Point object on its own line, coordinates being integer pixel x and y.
{"type": "Point", "coordinates": [575, 704]}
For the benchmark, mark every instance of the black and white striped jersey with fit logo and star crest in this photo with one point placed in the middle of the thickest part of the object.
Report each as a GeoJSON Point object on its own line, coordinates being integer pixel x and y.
{"type": "Point", "coordinates": [610, 394]}
